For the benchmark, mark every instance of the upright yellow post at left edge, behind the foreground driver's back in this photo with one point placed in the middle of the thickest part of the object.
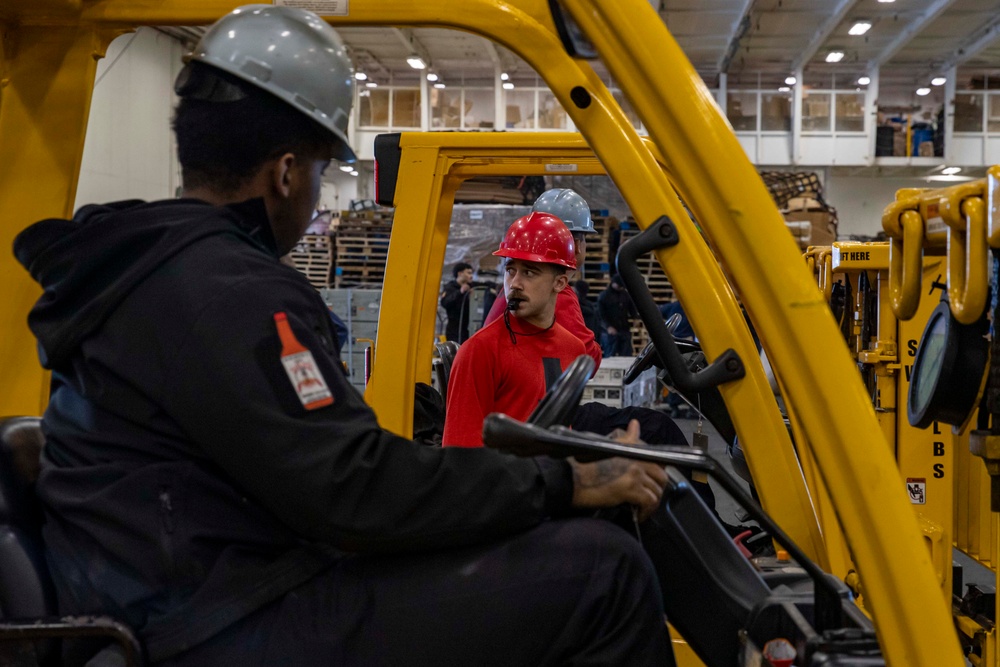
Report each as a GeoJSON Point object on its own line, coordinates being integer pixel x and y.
{"type": "Point", "coordinates": [48, 75]}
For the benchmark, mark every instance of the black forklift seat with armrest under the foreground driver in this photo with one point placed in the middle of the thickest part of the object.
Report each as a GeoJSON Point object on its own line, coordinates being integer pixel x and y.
{"type": "Point", "coordinates": [29, 622]}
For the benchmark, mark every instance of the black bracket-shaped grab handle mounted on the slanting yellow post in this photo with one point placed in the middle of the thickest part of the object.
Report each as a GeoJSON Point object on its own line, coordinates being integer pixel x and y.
{"type": "Point", "coordinates": [726, 368]}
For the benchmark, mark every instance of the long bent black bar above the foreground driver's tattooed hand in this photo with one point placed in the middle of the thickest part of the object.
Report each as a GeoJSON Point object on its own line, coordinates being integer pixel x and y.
{"type": "Point", "coordinates": [510, 435]}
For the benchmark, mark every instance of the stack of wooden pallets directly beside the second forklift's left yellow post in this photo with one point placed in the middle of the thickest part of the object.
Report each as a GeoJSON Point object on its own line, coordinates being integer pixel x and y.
{"type": "Point", "coordinates": [361, 243]}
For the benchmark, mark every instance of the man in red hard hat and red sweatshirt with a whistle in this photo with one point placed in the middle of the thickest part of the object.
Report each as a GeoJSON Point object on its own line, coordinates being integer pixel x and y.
{"type": "Point", "coordinates": [509, 364]}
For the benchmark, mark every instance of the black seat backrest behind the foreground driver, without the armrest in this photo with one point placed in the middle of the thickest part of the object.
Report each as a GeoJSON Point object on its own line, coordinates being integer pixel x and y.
{"type": "Point", "coordinates": [25, 587]}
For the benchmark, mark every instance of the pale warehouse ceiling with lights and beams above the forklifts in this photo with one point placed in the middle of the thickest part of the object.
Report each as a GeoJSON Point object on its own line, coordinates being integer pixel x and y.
{"type": "Point", "coordinates": [752, 41]}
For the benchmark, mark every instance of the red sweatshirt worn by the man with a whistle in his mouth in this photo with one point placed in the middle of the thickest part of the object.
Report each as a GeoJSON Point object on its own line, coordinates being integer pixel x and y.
{"type": "Point", "coordinates": [492, 374]}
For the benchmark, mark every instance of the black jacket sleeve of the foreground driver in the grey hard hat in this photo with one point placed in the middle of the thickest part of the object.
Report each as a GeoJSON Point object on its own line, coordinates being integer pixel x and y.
{"type": "Point", "coordinates": [332, 474]}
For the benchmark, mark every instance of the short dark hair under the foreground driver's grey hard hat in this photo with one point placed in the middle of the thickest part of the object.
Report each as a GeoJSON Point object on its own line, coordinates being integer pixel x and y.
{"type": "Point", "coordinates": [222, 144]}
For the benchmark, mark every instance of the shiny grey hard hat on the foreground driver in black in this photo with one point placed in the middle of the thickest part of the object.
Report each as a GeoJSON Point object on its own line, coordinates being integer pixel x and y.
{"type": "Point", "coordinates": [292, 54]}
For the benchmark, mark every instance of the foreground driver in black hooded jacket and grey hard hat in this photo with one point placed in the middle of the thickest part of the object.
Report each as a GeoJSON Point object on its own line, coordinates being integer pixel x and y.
{"type": "Point", "coordinates": [196, 487]}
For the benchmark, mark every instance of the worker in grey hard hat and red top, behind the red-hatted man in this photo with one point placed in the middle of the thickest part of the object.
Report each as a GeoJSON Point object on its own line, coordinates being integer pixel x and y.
{"type": "Point", "coordinates": [572, 209]}
